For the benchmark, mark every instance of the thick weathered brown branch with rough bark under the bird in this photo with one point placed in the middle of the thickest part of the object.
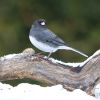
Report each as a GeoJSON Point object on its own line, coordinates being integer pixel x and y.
{"type": "Point", "coordinates": [35, 67]}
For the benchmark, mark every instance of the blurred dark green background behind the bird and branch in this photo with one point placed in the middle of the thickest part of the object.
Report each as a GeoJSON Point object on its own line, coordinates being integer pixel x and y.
{"type": "Point", "coordinates": [77, 22]}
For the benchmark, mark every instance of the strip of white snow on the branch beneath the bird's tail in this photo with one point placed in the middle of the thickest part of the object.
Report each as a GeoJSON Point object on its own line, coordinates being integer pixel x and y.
{"type": "Point", "coordinates": [79, 64]}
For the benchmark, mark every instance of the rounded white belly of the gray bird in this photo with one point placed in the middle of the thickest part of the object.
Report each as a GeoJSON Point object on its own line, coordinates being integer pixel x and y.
{"type": "Point", "coordinates": [41, 46]}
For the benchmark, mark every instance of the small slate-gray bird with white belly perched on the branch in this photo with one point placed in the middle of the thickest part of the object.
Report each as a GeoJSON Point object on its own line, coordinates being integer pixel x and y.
{"type": "Point", "coordinates": [46, 40]}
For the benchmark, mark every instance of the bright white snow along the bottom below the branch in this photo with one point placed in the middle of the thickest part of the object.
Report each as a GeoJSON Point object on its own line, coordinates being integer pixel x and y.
{"type": "Point", "coordinates": [25, 91]}
